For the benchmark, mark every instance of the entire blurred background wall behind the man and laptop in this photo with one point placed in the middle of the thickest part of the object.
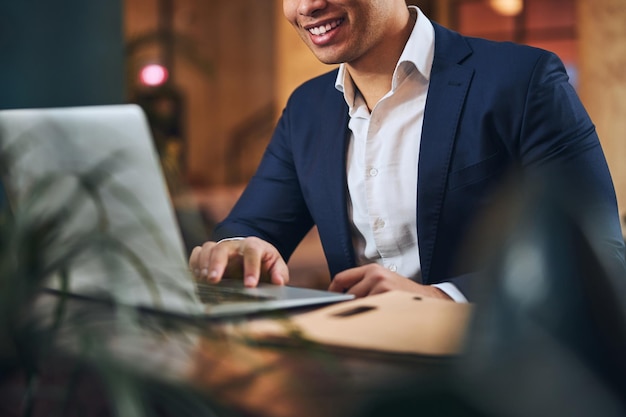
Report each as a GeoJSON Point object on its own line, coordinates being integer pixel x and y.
{"type": "Point", "coordinates": [231, 64]}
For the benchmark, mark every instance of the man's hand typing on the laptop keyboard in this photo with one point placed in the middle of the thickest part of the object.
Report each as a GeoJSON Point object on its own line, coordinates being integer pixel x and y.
{"type": "Point", "coordinates": [251, 257]}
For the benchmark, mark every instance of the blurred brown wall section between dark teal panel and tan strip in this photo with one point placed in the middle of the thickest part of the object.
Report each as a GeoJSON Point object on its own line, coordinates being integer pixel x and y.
{"type": "Point", "coordinates": [220, 57]}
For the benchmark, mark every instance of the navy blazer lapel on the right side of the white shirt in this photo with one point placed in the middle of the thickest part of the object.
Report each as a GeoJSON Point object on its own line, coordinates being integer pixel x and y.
{"type": "Point", "coordinates": [449, 84]}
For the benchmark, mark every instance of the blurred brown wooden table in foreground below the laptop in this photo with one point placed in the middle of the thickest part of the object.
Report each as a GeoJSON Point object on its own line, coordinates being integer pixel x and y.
{"type": "Point", "coordinates": [204, 361]}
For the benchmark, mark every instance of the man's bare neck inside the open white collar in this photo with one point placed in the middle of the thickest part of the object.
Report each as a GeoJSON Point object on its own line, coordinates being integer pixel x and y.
{"type": "Point", "coordinates": [373, 74]}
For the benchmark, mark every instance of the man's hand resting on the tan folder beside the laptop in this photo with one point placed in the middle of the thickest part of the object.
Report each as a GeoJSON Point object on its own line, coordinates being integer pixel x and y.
{"type": "Point", "coordinates": [375, 279]}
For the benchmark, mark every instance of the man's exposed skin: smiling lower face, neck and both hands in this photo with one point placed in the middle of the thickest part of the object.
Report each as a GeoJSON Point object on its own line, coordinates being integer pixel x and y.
{"type": "Point", "coordinates": [368, 36]}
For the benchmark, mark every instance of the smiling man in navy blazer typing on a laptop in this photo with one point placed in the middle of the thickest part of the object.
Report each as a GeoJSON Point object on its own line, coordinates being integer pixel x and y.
{"type": "Point", "coordinates": [394, 154]}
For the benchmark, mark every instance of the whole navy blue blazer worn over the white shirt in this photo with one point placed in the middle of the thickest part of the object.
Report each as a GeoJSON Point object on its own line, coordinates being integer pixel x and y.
{"type": "Point", "coordinates": [490, 107]}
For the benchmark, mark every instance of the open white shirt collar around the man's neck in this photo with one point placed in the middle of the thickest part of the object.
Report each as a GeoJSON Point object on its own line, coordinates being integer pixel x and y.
{"type": "Point", "coordinates": [419, 51]}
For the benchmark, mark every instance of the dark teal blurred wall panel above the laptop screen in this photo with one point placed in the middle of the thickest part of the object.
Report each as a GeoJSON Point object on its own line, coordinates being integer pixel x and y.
{"type": "Point", "coordinates": [61, 53]}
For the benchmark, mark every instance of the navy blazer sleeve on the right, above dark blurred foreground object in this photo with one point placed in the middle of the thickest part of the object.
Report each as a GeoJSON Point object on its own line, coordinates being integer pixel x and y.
{"type": "Point", "coordinates": [555, 144]}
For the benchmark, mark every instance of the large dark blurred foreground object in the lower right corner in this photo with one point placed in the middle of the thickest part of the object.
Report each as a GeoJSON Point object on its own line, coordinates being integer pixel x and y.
{"type": "Point", "coordinates": [549, 332]}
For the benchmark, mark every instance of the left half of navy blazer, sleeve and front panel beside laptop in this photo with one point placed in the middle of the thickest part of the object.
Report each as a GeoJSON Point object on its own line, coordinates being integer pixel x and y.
{"type": "Point", "coordinates": [301, 178]}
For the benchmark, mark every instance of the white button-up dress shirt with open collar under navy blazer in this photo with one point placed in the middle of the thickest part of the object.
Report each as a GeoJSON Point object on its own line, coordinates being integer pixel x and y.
{"type": "Point", "coordinates": [383, 158]}
